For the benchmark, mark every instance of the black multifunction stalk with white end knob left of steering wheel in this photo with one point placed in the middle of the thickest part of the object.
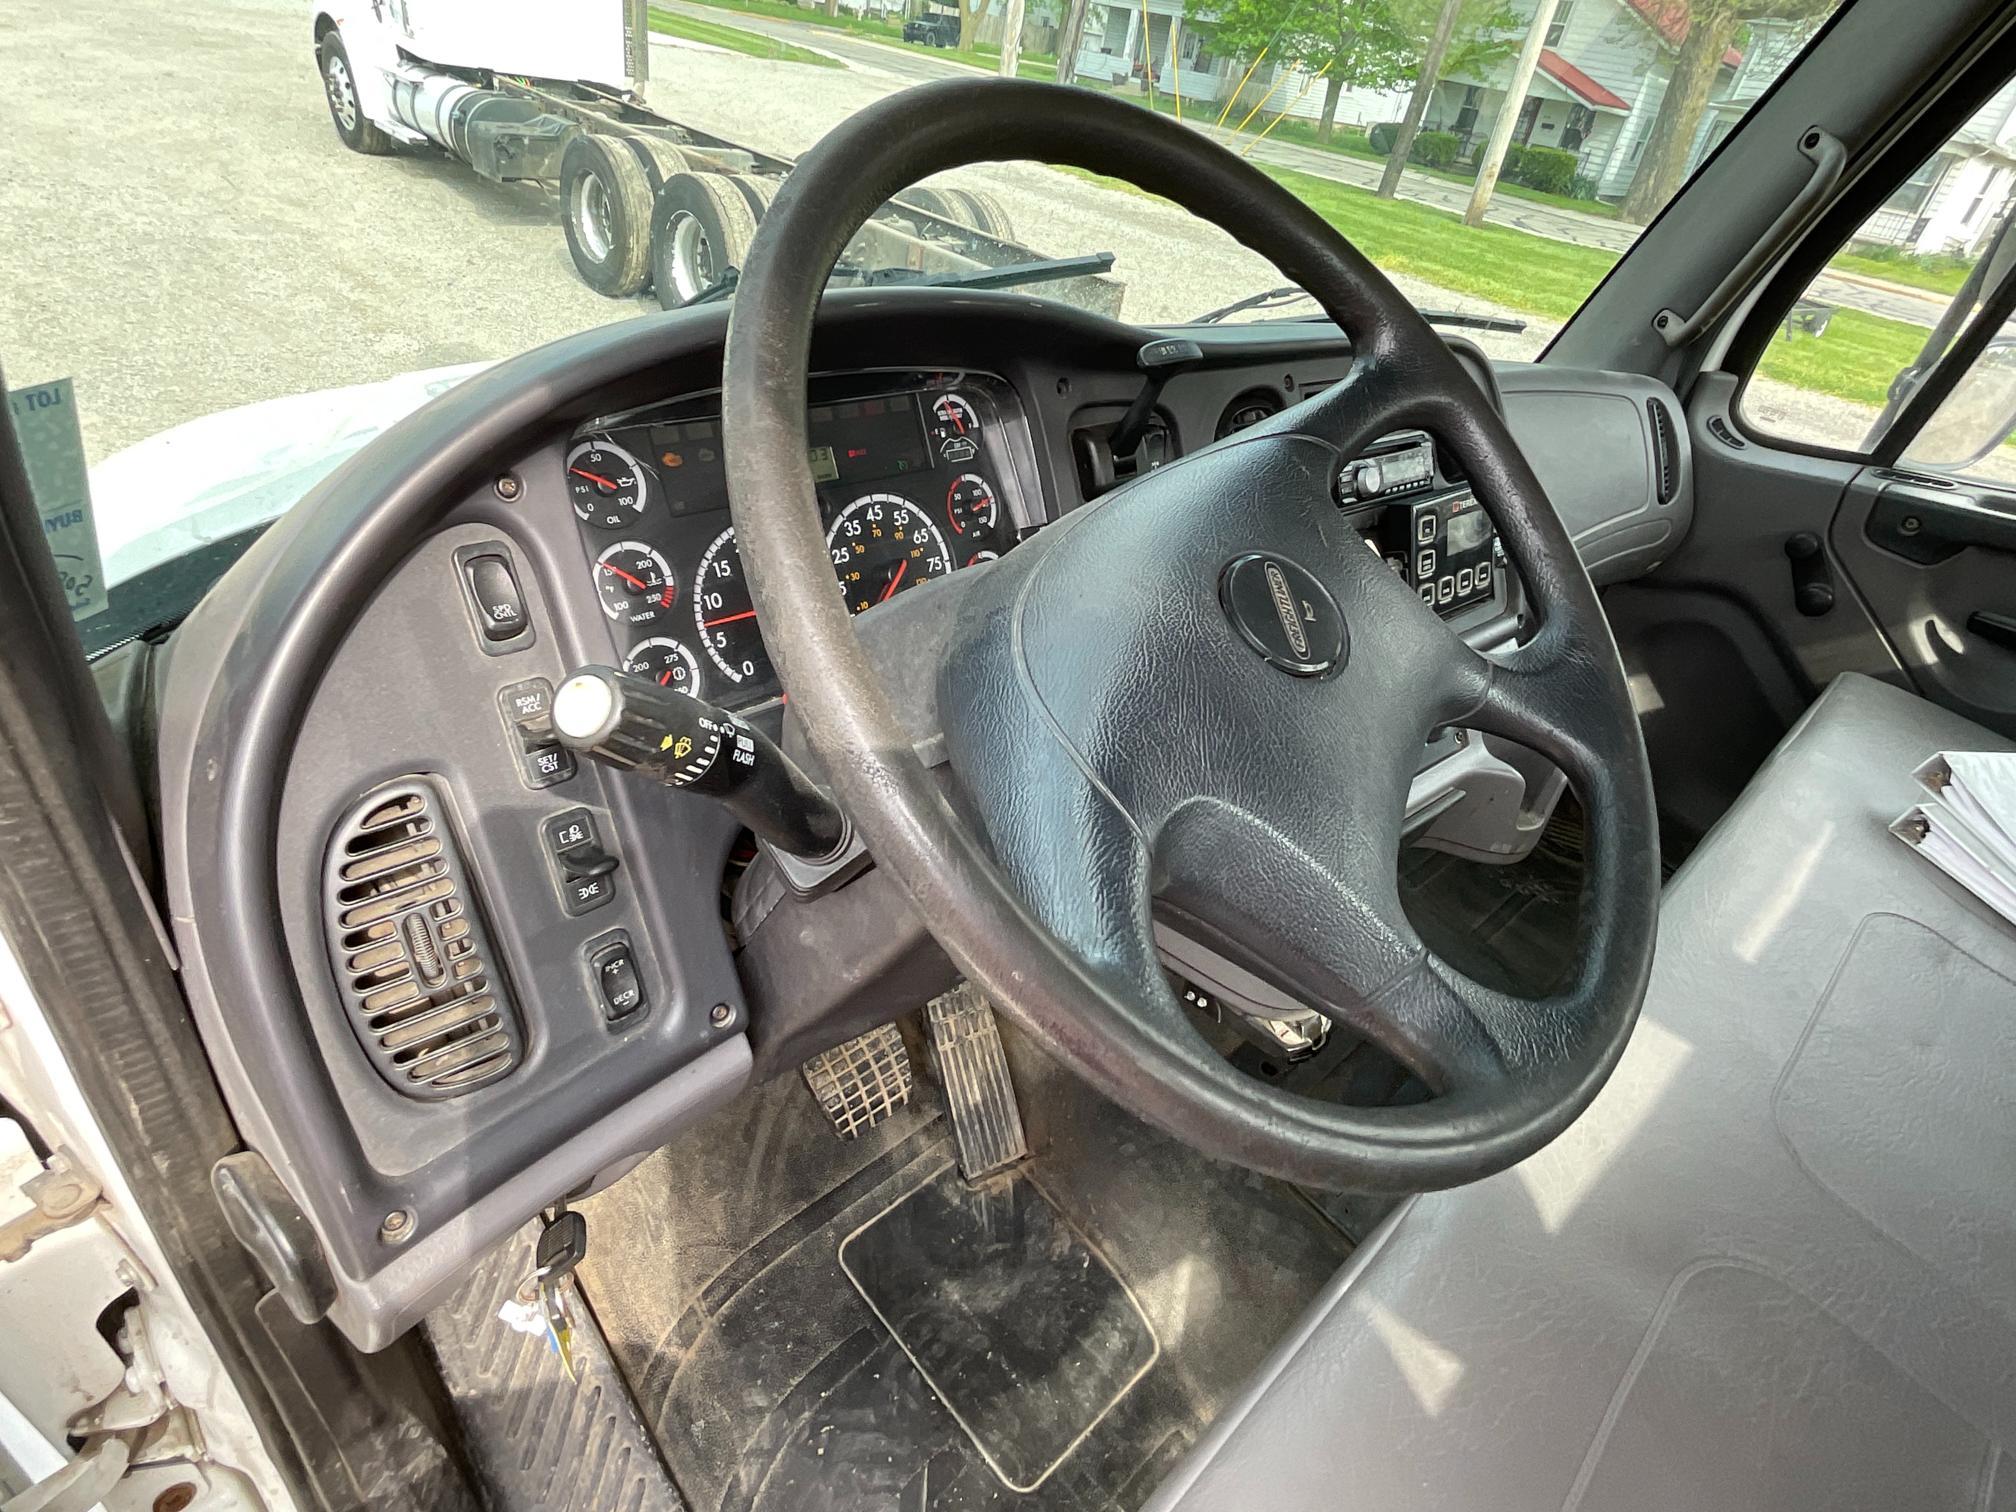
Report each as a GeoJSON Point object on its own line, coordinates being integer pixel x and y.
{"type": "Point", "coordinates": [686, 743]}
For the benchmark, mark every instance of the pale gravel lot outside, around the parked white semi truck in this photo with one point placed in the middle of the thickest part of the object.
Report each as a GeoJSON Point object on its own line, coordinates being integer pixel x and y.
{"type": "Point", "coordinates": [188, 235]}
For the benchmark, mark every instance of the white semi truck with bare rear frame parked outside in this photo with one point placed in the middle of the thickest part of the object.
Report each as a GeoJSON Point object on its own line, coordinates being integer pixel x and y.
{"type": "Point", "coordinates": [553, 94]}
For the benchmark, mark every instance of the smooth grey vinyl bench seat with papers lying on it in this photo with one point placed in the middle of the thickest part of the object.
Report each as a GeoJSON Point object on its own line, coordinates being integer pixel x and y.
{"type": "Point", "coordinates": [1773, 1267]}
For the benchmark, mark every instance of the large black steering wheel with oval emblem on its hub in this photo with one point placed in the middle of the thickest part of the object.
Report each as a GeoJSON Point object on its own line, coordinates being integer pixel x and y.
{"type": "Point", "coordinates": [1203, 699]}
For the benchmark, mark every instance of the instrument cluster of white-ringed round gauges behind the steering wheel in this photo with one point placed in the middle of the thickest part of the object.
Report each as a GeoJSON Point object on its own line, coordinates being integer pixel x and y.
{"type": "Point", "coordinates": [918, 477]}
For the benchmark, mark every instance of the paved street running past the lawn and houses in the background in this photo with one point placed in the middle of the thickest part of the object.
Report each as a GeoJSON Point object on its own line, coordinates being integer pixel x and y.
{"type": "Point", "coordinates": [1876, 297]}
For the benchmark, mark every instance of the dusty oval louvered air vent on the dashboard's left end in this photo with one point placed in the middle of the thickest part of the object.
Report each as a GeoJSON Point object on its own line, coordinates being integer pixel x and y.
{"type": "Point", "coordinates": [412, 959]}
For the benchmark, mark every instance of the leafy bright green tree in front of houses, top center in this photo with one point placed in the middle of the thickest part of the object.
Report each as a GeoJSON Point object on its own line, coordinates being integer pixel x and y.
{"type": "Point", "coordinates": [1348, 41]}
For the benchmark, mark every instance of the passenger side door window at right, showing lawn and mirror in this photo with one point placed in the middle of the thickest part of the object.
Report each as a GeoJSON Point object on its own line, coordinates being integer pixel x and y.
{"type": "Point", "coordinates": [1870, 332]}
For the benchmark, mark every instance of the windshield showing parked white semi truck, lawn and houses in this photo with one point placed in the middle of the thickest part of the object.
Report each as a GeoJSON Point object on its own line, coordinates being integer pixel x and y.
{"type": "Point", "coordinates": [332, 213]}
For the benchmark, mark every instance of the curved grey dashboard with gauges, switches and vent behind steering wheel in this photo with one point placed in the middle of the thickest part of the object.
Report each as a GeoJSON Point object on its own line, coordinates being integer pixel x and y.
{"type": "Point", "coordinates": [354, 709]}
